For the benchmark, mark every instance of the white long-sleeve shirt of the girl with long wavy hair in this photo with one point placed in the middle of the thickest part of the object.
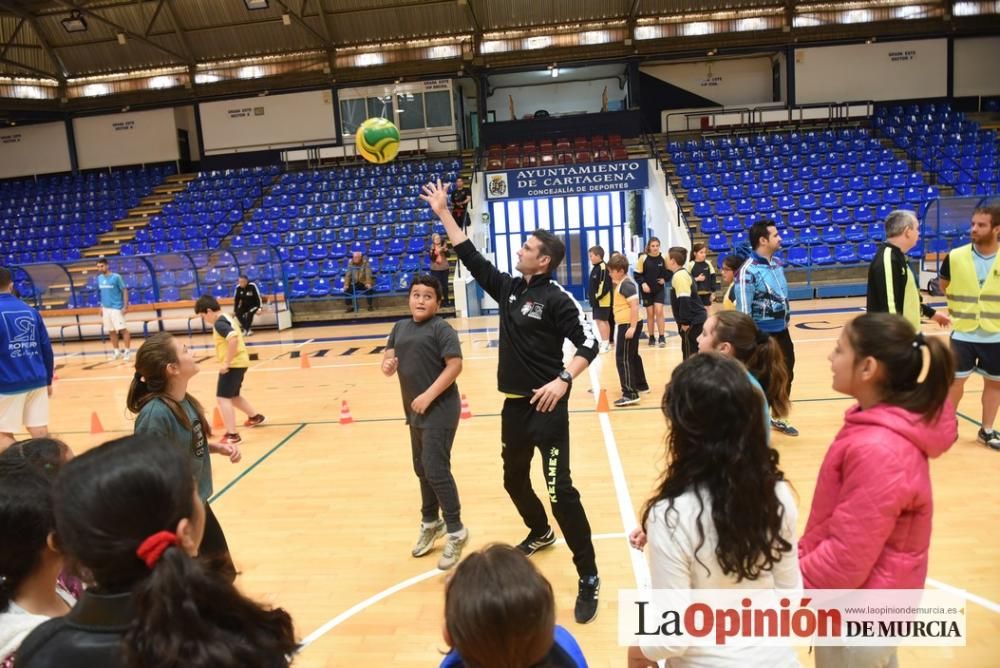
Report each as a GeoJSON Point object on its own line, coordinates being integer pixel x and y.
{"type": "Point", "coordinates": [672, 540]}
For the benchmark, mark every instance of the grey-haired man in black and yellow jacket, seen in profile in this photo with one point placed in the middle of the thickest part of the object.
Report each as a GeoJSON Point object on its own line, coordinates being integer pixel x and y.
{"type": "Point", "coordinates": [892, 287]}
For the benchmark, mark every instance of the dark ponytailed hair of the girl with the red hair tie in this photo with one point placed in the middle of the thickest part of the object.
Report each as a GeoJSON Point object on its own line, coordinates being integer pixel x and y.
{"type": "Point", "coordinates": [107, 502]}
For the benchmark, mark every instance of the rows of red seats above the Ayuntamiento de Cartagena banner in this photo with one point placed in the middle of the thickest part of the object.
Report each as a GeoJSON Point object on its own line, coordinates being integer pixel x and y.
{"type": "Point", "coordinates": [563, 151]}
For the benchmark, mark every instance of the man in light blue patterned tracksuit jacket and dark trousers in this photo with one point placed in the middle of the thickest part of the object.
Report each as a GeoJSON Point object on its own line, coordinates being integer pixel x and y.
{"type": "Point", "coordinates": [762, 292]}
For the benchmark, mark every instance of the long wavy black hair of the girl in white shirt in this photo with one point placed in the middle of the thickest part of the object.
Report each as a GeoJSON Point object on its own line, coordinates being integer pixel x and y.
{"type": "Point", "coordinates": [723, 454]}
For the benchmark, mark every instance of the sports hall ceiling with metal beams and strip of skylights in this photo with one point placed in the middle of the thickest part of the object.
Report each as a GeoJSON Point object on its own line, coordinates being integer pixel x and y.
{"type": "Point", "coordinates": [116, 36]}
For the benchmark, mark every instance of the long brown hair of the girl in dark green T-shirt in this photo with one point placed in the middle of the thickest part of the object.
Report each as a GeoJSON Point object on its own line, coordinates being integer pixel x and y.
{"type": "Point", "coordinates": [150, 380]}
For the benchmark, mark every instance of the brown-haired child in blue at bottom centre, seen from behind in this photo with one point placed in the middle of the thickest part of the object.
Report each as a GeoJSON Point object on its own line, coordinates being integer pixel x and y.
{"type": "Point", "coordinates": [500, 613]}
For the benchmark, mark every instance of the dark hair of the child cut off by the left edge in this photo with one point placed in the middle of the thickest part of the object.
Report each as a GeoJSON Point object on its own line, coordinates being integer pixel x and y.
{"type": "Point", "coordinates": [26, 520]}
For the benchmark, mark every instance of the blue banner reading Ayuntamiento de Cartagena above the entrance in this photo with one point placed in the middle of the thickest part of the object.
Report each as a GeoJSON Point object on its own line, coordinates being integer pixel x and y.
{"type": "Point", "coordinates": [560, 180]}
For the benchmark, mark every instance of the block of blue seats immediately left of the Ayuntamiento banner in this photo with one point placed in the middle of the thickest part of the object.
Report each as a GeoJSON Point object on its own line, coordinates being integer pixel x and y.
{"type": "Point", "coordinates": [316, 219]}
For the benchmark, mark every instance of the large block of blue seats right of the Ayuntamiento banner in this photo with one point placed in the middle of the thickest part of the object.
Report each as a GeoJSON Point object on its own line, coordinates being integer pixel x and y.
{"type": "Point", "coordinates": [827, 190]}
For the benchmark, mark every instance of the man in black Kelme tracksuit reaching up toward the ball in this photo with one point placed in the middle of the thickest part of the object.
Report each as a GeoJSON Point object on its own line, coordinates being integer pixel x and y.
{"type": "Point", "coordinates": [536, 316]}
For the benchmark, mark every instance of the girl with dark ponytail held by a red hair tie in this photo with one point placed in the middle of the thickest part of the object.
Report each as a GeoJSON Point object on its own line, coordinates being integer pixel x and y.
{"type": "Point", "coordinates": [129, 513]}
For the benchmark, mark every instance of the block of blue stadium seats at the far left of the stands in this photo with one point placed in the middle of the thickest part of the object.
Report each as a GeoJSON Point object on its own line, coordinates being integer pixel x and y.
{"type": "Point", "coordinates": [53, 218]}
